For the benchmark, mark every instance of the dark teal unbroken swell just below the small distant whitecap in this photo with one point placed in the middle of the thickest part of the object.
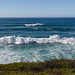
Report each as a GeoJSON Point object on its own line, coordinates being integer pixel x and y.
{"type": "Point", "coordinates": [36, 29]}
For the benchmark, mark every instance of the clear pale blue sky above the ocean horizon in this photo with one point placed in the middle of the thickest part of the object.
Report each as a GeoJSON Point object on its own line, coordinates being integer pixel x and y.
{"type": "Point", "coordinates": [37, 8]}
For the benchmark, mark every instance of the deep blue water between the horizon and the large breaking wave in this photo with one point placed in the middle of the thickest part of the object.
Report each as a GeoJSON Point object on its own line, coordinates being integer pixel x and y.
{"type": "Point", "coordinates": [52, 26]}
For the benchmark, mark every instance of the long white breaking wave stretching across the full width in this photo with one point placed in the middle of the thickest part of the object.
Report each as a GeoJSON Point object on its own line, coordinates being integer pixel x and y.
{"type": "Point", "coordinates": [26, 40]}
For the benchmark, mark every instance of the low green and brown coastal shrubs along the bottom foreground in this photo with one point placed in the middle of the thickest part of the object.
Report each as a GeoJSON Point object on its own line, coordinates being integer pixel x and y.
{"type": "Point", "coordinates": [53, 67]}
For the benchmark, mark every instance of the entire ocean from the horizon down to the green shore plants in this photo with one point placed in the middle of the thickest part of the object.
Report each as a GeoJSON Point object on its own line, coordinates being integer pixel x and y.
{"type": "Point", "coordinates": [36, 39]}
